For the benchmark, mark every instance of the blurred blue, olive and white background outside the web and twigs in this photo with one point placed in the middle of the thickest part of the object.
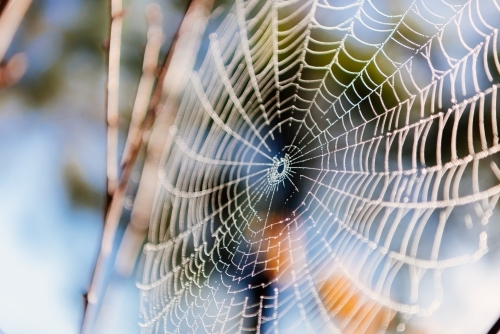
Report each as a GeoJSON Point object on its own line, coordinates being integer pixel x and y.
{"type": "Point", "coordinates": [52, 178]}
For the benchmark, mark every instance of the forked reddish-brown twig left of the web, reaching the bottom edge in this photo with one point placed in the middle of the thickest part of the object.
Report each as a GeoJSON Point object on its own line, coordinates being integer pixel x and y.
{"type": "Point", "coordinates": [144, 114]}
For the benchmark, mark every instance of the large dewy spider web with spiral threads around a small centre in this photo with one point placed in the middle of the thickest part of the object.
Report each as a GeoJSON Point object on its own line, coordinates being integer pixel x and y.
{"type": "Point", "coordinates": [325, 157]}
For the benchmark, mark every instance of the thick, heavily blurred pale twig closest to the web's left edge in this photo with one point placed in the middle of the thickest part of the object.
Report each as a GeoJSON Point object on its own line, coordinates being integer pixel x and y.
{"type": "Point", "coordinates": [171, 85]}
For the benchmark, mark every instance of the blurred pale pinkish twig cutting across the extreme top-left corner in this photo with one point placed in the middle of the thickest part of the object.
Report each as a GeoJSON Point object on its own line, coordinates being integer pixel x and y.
{"type": "Point", "coordinates": [12, 13]}
